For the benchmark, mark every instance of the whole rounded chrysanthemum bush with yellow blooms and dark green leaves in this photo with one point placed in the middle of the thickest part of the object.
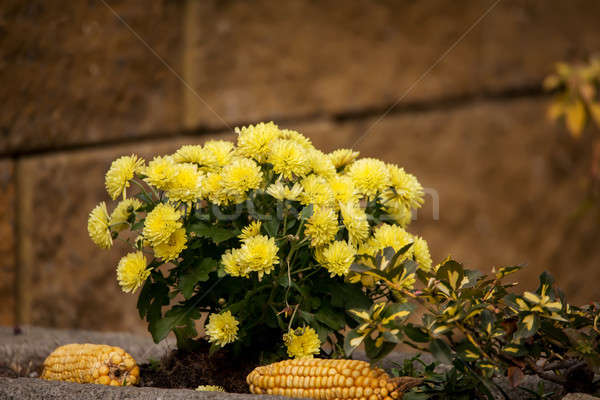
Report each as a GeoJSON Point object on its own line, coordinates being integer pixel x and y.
{"type": "Point", "coordinates": [279, 243]}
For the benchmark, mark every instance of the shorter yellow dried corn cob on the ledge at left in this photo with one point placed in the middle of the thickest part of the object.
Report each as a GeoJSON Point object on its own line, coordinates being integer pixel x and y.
{"type": "Point", "coordinates": [91, 363]}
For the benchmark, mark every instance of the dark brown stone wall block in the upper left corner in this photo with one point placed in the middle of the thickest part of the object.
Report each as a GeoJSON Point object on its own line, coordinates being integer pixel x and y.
{"type": "Point", "coordinates": [76, 74]}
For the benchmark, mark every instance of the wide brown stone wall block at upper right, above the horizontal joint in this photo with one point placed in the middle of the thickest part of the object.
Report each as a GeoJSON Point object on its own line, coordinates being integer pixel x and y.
{"type": "Point", "coordinates": [258, 60]}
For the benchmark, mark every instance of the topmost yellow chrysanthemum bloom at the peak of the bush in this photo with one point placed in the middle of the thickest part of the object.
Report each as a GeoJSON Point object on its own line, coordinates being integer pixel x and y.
{"type": "Point", "coordinates": [254, 140]}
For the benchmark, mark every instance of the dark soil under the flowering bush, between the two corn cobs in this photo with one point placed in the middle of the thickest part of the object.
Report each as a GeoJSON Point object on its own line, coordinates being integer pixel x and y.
{"type": "Point", "coordinates": [189, 369]}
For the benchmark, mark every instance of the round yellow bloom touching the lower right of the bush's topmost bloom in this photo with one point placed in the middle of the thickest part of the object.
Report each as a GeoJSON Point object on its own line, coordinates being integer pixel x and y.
{"type": "Point", "coordinates": [289, 159]}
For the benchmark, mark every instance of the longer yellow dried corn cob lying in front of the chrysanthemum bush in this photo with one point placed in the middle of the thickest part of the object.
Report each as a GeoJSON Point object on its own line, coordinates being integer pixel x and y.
{"type": "Point", "coordinates": [321, 379]}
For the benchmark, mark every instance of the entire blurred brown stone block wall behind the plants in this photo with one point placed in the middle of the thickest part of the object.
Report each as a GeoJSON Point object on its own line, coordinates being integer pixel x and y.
{"type": "Point", "coordinates": [450, 90]}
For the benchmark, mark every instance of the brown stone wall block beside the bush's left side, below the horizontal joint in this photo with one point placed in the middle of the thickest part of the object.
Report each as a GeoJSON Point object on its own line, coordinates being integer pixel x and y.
{"type": "Point", "coordinates": [75, 282]}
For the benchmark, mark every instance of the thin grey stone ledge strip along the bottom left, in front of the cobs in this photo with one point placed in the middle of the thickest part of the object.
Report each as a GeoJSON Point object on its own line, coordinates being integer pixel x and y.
{"type": "Point", "coordinates": [27, 388]}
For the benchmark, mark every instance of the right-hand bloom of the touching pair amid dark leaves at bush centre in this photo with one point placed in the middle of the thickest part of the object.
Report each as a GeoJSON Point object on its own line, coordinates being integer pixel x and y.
{"type": "Point", "coordinates": [259, 254]}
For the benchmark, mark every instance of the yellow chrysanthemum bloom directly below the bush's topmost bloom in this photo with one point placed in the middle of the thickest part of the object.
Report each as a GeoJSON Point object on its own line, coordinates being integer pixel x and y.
{"type": "Point", "coordinates": [239, 177]}
